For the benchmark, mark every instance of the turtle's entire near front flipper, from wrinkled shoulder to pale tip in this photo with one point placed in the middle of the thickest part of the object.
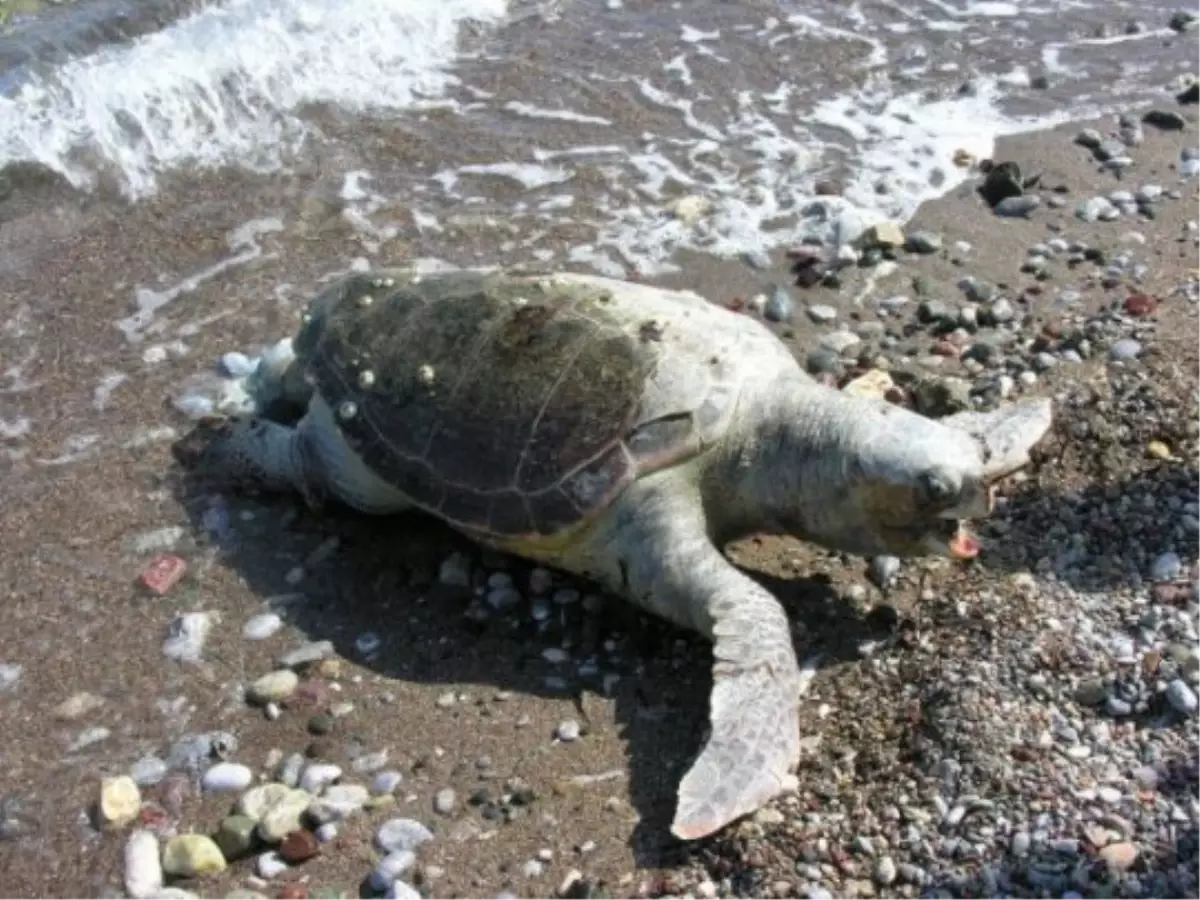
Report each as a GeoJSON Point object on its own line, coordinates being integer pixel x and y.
{"type": "Point", "coordinates": [667, 562]}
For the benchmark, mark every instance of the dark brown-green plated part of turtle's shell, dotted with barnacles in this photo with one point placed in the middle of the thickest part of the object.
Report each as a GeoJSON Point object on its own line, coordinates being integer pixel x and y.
{"type": "Point", "coordinates": [507, 406]}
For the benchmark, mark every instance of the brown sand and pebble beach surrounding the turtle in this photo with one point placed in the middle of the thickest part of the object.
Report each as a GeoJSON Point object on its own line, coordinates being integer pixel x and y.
{"type": "Point", "coordinates": [1022, 727]}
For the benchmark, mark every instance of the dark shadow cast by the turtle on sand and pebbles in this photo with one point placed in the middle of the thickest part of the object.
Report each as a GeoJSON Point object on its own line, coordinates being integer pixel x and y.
{"type": "Point", "coordinates": [374, 587]}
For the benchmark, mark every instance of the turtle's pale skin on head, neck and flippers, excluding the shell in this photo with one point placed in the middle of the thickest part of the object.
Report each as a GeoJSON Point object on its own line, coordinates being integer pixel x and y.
{"type": "Point", "coordinates": [847, 473]}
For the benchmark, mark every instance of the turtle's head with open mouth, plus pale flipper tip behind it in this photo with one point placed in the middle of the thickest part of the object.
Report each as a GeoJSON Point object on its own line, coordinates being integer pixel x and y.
{"type": "Point", "coordinates": [914, 481]}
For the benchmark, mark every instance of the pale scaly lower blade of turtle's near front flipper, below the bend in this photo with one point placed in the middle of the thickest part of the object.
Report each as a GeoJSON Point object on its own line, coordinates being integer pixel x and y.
{"type": "Point", "coordinates": [753, 712]}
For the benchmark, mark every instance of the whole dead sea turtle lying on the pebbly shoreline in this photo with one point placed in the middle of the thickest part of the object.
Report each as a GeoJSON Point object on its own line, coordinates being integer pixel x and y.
{"type": "Point", "coordinates": [622, 433]}
